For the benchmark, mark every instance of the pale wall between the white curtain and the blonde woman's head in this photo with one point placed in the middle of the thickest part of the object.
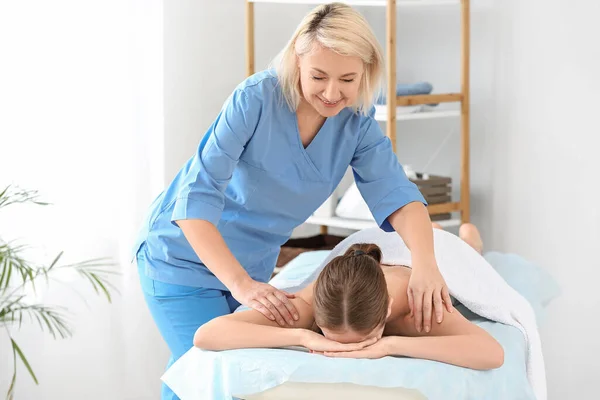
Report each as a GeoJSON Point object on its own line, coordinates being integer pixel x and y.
{"type": "Point", "coordinates": [205, 59]}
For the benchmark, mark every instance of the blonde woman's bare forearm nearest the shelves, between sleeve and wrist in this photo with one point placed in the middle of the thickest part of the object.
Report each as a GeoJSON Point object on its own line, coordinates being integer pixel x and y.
{"type": "Point", "coordinates": [413, 224]}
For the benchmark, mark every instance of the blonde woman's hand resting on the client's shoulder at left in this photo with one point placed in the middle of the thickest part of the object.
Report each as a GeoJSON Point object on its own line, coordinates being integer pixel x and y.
{"type": "Point", "coordinates": [268, 300]}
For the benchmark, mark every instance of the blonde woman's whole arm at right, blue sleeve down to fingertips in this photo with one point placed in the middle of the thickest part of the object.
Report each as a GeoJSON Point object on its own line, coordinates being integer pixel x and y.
{"type": "Point", "coordinates": [397, 205]}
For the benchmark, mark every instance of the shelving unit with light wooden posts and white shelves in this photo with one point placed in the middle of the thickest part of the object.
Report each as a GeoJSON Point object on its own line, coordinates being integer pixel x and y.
{"type": "Point", "coordinates": [392, 113]}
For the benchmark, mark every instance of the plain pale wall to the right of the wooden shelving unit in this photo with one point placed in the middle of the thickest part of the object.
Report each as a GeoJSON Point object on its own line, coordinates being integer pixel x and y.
{"type": "Point", "coordinates": [544, 126]}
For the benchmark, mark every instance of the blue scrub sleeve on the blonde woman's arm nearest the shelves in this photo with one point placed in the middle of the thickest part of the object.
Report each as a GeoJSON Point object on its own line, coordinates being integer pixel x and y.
{"type": "Point", "coordinates": [379, 175]}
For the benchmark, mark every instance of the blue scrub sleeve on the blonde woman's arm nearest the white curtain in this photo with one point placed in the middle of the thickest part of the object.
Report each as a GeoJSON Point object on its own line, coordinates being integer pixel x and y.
{"type": "Point", "coordinates": [200, 194]}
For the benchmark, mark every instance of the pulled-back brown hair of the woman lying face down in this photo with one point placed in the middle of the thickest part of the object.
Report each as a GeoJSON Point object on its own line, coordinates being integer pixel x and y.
{"type": "Point", "coordinates": [351, 292]}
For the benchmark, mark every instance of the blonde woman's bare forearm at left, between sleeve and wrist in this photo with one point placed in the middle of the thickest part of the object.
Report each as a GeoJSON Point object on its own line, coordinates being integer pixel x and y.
{"type": "Point", "coordinates": [209, 245]}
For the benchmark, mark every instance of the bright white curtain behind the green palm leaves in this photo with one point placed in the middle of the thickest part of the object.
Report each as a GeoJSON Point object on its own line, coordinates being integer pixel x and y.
{"type": "Point", "coordinates": [81, 121]}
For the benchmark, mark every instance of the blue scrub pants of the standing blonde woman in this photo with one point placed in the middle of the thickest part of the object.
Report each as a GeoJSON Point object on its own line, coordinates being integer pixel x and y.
{"type": "Point", "coordinates": [179, 311]}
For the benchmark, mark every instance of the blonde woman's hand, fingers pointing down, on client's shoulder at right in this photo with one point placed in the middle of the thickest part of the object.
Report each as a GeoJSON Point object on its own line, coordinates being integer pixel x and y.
{"type": "Point", "coordinates": [427, 293]}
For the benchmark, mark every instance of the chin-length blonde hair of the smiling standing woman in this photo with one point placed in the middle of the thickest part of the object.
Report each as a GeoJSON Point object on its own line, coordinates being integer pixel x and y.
{"type": "Point", "coordinates": [342, 29]}
